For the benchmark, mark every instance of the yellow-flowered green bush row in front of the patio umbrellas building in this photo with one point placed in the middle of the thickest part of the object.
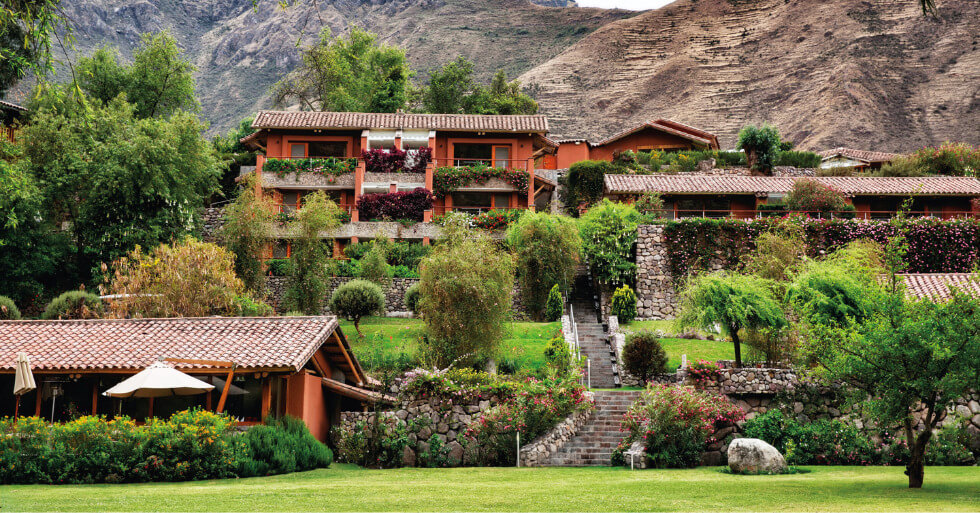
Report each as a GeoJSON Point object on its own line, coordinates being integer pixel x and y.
{"type": "Point", "coordinates": [191, 445]}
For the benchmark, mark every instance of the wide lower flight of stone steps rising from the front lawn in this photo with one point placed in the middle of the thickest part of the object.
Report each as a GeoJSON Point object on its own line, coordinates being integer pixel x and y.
{"type": "Point", "coordinates": [594, 443]}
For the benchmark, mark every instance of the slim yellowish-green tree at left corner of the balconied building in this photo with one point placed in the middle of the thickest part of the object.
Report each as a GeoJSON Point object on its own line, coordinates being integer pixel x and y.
{"type": "Point", "coordinates": [246, 231]}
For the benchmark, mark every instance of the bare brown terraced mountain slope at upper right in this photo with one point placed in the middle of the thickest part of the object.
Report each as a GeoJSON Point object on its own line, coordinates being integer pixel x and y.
{"type": "Point", "coordinates": [868, 74]}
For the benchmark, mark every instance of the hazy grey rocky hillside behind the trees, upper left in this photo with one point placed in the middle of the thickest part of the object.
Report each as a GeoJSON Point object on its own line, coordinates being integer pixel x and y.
{"type": "Point", "coordinates": [241, 50]}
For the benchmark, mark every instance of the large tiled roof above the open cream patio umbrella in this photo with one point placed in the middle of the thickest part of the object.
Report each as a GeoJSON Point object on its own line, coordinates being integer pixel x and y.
{"type": "Point", "coordinates": [133, 344]}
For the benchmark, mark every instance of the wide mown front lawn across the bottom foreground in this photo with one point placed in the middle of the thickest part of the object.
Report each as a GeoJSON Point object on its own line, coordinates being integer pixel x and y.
{"type": "Point", "coordinates": [349, 488]}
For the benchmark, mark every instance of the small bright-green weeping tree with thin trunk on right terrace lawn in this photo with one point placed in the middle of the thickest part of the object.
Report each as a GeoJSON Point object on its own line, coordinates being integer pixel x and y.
{"type": "Point", "coordinates": [732, 302]}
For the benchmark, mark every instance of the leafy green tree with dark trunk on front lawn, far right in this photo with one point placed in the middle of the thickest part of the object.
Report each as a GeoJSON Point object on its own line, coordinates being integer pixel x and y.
{"type": "Point", "coordinates": [904, 356]}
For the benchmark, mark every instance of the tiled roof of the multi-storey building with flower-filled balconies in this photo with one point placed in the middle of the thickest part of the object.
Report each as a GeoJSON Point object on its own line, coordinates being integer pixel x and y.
{"type": "Point", "coordinates": [365, 120]}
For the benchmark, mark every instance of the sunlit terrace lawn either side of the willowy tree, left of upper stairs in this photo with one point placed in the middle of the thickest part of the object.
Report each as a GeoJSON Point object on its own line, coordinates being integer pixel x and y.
{"type": "Point", "coordinates": [390, 338]}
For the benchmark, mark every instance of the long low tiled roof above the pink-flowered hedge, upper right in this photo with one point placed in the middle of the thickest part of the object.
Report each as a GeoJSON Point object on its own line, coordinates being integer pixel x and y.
{"type": "Point", "coordinates": [850, 185]}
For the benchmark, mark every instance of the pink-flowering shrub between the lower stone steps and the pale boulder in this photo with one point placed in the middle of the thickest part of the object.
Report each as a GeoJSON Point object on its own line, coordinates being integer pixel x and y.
{"type": "Point", "coordinates": [676, 424]}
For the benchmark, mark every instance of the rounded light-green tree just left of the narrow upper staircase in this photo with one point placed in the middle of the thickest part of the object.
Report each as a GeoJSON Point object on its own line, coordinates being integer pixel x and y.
{"type": "Point", "coordinates": [546, 249]}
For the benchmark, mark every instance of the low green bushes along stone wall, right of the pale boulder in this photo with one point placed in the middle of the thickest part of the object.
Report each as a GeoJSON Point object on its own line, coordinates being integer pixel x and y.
{"type": "Point", "coordinates": [834, 442]}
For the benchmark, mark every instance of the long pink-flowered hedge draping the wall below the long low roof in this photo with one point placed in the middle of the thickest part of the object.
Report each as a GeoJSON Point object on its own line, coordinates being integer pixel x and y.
{"type": "Point", "coordinates": [935, 245]}
